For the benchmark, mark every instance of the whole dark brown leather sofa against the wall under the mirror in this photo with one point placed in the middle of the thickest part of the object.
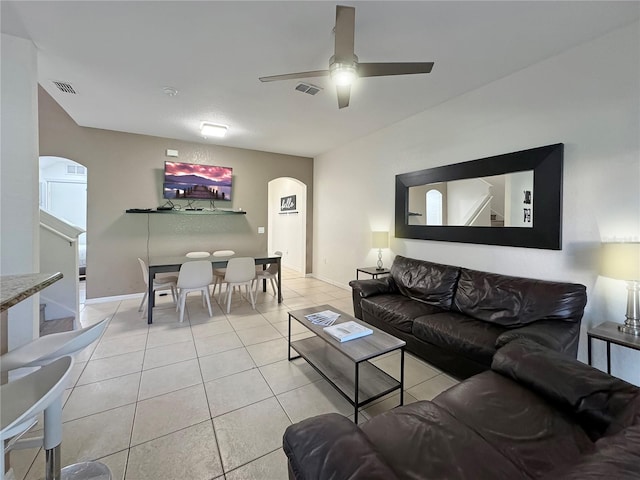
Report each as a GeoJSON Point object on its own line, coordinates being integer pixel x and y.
{"type": "Point", "coordinates": [455, 318]}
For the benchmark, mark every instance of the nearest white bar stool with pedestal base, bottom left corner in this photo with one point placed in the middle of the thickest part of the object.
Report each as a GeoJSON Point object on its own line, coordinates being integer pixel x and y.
{"type": "Point", "coordinates": [23, 400]}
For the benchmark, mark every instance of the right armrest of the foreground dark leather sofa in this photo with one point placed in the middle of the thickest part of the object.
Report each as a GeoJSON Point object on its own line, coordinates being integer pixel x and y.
{"type": "Point", "coordinates": [593, 397]}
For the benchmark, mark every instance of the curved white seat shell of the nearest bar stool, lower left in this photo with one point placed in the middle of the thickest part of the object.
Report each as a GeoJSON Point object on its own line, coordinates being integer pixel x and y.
{"type": "Point", "coordinates": [26, 397]}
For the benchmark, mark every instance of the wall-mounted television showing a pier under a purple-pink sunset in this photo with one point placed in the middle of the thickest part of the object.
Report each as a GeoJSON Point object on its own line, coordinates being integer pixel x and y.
{"type": "Point", "coordinates": [193, 181]}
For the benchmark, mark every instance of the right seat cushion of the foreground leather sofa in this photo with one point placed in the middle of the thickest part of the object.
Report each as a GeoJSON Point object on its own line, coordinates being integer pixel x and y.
{"type": "Point", "coordinates": [532, 433]}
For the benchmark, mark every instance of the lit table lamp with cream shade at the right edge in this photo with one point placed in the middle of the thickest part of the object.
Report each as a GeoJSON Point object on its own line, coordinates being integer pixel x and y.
{"type": "Point", "coordinates": [622, 261]}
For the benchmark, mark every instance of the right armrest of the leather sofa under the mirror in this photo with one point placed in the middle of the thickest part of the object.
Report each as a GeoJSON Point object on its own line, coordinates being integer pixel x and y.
{"type": "Point", "coordinates": [557, 335]}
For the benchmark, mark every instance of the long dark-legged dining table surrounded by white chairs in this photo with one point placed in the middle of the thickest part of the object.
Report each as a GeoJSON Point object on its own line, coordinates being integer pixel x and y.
{"type": "Point", "coordinates": [165, 264]}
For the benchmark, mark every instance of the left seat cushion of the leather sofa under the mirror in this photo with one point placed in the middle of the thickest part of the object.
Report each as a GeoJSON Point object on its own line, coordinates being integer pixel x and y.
{"type": "Point", "coordinates": [396, 310]}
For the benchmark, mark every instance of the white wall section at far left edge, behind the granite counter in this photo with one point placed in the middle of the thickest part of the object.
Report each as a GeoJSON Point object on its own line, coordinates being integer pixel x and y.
{"type": "Point", "coordinates": [19, 243]}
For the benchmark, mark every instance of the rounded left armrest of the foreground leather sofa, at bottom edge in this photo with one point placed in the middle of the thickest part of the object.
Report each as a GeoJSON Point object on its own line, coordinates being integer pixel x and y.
{"type": "Point", "coordinates": [331, 446]}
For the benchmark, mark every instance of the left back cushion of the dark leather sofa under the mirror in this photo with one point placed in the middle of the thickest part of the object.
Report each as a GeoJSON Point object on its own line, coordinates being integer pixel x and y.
{"type": "Point", "coordinates": [427, 282]}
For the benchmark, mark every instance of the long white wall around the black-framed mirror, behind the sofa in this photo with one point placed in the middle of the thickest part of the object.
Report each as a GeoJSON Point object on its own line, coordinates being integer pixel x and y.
{"type": "Point", "coordinates": [587, 98]}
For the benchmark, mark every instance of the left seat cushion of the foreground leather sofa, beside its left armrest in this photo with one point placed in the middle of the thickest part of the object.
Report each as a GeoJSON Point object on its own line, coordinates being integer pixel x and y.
{"type": "Point", "coordinates": [423, 441]}
